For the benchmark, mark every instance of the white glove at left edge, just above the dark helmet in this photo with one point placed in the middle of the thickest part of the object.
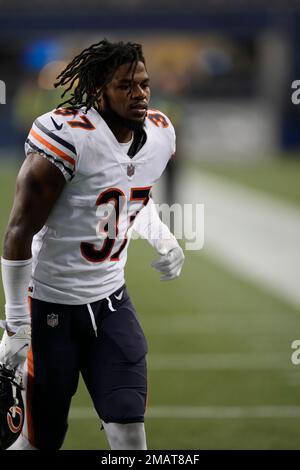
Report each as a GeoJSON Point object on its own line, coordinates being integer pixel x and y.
{"type": "Point", "coordinates": [13, 349]}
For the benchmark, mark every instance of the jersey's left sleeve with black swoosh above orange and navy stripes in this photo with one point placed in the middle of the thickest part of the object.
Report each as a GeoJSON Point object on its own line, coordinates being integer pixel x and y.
{"type": "Point", "coordinates": [51, 137]}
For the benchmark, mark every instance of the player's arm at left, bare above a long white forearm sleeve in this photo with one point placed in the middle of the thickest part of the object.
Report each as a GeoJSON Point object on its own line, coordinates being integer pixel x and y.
{"type": "Point", "coordinates": [39, 185]}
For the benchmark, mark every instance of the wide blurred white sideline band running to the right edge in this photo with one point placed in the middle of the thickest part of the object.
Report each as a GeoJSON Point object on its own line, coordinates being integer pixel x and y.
{"type": "Point", "coordinates": [253, 234]}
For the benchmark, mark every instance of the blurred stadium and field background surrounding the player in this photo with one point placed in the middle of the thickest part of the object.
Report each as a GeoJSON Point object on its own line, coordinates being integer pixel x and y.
{"type": "Point", "coordinates": [220, 371]}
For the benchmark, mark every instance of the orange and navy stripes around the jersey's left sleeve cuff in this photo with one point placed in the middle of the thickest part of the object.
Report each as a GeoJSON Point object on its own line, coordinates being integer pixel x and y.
{"type": "Point", "coordinates": [52, 146]}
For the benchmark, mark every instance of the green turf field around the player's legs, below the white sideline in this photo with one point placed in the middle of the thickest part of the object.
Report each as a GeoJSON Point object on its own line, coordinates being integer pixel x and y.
{"type": "Point", "coordinates": [220, 375]}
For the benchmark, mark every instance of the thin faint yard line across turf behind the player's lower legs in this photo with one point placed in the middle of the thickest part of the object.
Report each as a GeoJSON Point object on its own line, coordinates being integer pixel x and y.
{"type": "Point", "coordinates": [205, 412]}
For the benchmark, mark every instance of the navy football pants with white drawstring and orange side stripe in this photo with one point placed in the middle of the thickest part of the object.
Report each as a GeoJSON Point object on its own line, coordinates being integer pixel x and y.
{"type": "Point", "coordinates": [105, 343]}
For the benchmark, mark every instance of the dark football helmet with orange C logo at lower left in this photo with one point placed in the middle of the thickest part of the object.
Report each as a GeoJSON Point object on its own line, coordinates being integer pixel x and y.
{"type": "Point", "coordinates": [11, 406]}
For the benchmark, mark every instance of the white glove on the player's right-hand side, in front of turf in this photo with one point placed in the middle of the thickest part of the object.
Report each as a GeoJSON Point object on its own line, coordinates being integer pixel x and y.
{"type": "Point", "coordinates": [171, 260]}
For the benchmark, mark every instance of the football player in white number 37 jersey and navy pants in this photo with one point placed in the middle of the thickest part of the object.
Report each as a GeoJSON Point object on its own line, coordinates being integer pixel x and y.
{"type": "Point", "coordinates": [98, 154]}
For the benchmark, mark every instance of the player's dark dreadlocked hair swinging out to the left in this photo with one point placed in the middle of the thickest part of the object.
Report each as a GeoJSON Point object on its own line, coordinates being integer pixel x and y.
{"type": "Point", "coordinates": [93, 69]}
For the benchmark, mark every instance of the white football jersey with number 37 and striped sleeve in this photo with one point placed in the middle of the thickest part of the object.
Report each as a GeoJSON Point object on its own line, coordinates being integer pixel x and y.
{"type": "Point", "coordinates": [74, 261]}
